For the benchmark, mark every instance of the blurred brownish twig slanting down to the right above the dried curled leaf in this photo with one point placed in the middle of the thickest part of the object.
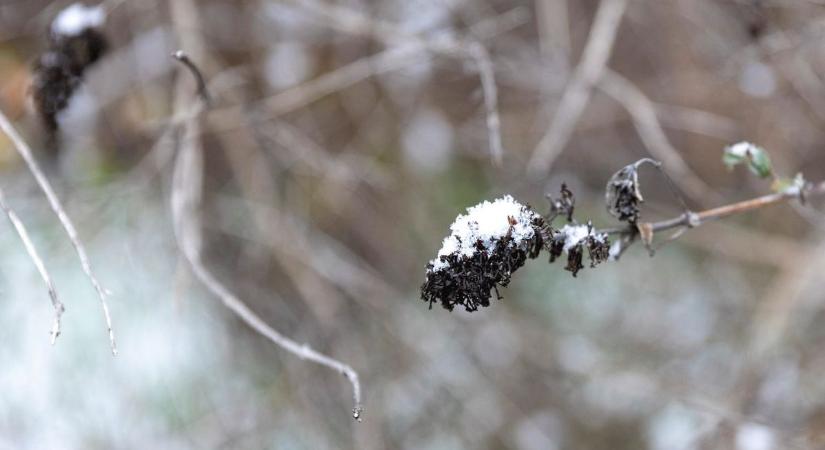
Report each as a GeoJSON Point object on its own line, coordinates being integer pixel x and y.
{"type": "Point", "coordinates": [643, 112]}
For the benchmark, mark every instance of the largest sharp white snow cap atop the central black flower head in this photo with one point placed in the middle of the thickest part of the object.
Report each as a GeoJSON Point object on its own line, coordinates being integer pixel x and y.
{"type": "Point", "coordinates": [487, 222]}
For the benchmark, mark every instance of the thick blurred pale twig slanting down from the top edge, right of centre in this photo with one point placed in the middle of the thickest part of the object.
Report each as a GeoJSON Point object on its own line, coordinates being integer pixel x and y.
{"type": "Point", "coordinates": [579, 88]}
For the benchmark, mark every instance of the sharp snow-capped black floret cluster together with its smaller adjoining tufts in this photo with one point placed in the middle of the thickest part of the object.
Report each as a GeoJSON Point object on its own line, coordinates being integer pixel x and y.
{"type": "Point", "coordinates": [494, 239]}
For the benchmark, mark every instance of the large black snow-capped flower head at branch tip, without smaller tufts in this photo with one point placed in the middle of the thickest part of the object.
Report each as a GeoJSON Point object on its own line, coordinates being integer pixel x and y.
{"type": "Point", "coordinates": [486, 245]}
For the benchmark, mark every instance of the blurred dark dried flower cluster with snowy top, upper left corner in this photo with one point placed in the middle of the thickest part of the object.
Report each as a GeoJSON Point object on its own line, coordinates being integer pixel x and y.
{"type": "Point", "coordinates": [75, 43]}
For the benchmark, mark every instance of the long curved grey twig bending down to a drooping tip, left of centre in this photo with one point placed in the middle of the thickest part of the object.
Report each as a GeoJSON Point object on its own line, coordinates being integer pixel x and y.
{"type": "Point", "coordinates": [186, 200]}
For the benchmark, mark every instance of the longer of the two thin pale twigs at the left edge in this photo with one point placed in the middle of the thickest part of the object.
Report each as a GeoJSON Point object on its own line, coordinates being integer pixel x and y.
{"type": "Point", "coordinates": [27, 154]}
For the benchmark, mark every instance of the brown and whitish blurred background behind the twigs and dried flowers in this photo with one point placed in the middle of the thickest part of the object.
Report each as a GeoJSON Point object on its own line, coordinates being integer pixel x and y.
{"type": "Point", "coordinates": [338, 151]}
